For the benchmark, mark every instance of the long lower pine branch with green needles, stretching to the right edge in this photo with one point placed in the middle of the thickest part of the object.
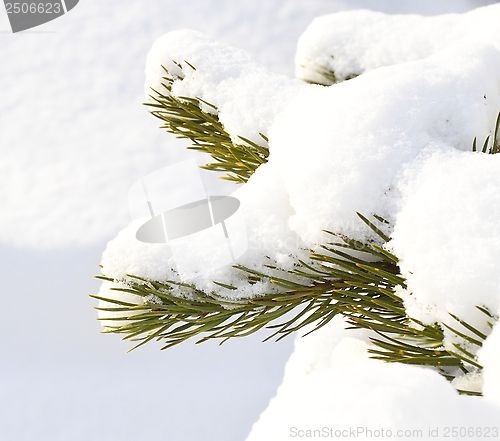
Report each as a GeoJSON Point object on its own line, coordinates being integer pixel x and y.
{"type": "Point", "coordinates": [360, 286]}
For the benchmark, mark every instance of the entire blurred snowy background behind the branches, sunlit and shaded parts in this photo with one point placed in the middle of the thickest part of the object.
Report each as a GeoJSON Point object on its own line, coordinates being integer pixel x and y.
{"type": "Point", "coordinates": [73, 138]}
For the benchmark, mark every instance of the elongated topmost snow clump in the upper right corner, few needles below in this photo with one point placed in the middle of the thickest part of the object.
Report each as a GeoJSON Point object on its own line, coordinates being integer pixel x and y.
{"type": "Point", "coordinates": [353, 42]}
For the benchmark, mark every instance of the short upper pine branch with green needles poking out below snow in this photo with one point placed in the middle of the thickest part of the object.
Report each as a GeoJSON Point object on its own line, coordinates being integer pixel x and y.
{"type": "Point", "coordinates": [184, 117]}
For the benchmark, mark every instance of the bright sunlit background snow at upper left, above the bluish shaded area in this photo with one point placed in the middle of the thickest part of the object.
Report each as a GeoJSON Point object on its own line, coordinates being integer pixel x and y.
{"type": "Point", "coordinates": [67, 167]}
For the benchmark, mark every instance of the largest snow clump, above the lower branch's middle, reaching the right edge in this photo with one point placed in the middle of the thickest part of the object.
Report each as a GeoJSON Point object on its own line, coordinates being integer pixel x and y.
{"type": "Point", "coordinates": [339, 149]}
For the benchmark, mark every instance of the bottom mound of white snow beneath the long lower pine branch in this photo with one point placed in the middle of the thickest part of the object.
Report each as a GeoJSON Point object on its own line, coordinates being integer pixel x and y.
{"type": "Point", "coordinates": [351, 393]}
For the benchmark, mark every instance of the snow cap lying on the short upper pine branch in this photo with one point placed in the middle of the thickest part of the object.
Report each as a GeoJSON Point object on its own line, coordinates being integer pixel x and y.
{"type": "Point", "coordinates": [247, 95]}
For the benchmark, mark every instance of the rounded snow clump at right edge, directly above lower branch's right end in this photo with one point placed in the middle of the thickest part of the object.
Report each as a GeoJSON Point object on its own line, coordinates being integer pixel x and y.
{"type": "Point", "coordinates": [447, 237]}
